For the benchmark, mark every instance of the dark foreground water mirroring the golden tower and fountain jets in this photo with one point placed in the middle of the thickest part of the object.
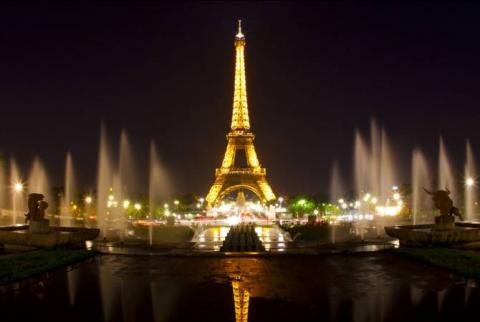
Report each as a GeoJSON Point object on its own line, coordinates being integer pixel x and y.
{"type": "Point", "coordinates": [359, 287]}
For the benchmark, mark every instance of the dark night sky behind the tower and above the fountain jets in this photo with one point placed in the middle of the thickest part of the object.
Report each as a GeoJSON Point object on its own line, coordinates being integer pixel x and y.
{"type": "Point", "coordinates": [315, 73]}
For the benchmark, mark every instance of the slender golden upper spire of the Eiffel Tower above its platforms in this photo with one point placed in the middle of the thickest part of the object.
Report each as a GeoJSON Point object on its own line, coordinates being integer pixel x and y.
{"type": "Point", "coordinates": [240, 120]}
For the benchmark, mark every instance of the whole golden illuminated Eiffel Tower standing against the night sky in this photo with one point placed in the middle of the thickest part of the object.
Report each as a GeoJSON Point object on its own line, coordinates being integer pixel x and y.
{"type": "Point", "coordinates": [250, 175]}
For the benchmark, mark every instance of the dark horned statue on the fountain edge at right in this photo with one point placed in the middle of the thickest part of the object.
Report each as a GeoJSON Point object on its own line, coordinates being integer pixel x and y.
{"type": "Point", "coordinates": [444, 203]}
